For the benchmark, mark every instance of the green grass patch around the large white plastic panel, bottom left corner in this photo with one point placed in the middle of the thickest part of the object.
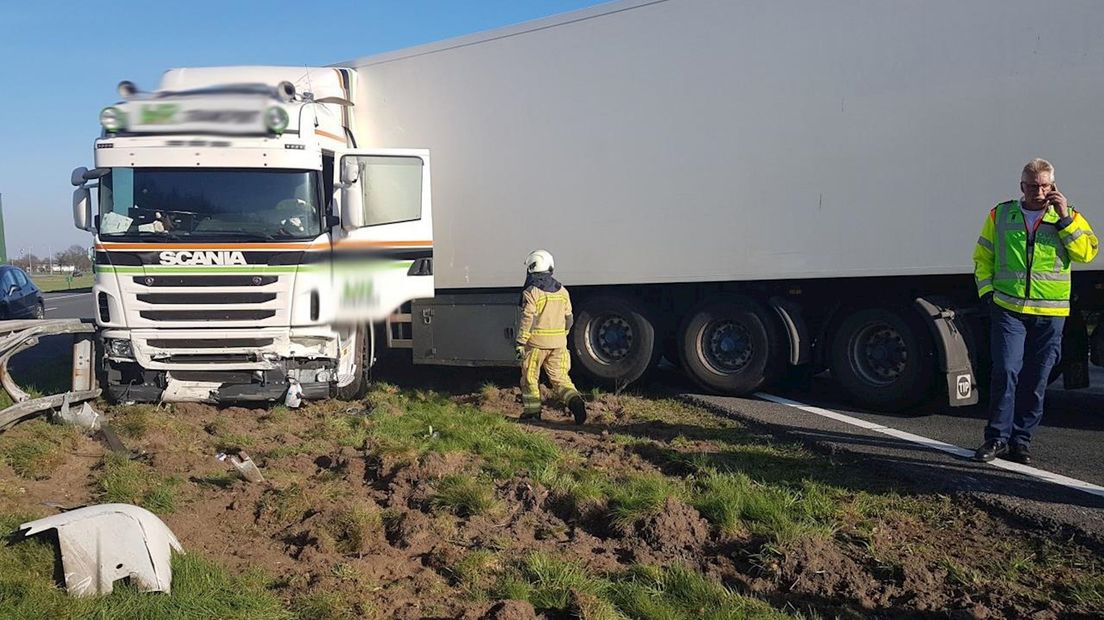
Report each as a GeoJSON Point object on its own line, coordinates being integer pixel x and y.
{"type": "Point", "coordinates": [200, 590]}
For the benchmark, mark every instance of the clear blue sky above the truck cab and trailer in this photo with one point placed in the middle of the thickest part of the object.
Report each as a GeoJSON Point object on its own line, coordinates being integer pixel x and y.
{"type": "Point", "coordinates": [60, 63]}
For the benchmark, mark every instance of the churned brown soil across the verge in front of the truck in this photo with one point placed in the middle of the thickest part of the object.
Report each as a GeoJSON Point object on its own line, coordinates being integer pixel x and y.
{"type": "Point", "coordinates": [345, 519]}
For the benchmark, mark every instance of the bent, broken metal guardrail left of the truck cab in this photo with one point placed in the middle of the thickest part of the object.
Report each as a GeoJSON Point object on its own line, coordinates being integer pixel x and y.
{"type": "Point", "coordinates": [19, 336]}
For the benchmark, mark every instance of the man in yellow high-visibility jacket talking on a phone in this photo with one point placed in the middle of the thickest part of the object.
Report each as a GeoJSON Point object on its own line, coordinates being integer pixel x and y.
{"type": "Point", "coordinates": [1023, 271]}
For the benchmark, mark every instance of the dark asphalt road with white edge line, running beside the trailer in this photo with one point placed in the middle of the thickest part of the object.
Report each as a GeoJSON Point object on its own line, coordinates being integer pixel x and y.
{"type": "Point", "coordinates": [1067, 444]}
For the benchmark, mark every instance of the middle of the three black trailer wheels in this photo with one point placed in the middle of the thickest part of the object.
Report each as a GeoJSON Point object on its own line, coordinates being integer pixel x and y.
{"type": "Point", "coordinates": [733, 347]}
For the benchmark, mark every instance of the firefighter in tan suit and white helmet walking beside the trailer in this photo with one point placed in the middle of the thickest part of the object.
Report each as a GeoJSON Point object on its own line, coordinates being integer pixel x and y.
{"type": "Point", "coordinates": [543, 339]}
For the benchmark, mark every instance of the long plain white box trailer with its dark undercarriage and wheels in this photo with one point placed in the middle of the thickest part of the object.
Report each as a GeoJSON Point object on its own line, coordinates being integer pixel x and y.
{"type": "Point", "coordinates": [752, 190]}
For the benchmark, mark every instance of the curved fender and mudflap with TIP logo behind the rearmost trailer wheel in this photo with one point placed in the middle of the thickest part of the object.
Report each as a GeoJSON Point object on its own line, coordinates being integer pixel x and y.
{"type": "Point", "coordinates": [956, 365]}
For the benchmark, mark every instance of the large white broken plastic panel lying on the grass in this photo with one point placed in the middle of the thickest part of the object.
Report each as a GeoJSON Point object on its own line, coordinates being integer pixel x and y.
{"type": "Point", "coordinates": [103, 544]}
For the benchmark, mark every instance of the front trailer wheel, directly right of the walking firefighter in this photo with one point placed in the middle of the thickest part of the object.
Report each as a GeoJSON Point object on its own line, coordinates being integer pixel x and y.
{"type": "Point", "coordinates": [614, 340]}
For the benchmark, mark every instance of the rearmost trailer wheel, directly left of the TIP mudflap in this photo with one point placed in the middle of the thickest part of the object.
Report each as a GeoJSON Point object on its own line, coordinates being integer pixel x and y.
{"type": "Point", "coordinates": [884, 359]}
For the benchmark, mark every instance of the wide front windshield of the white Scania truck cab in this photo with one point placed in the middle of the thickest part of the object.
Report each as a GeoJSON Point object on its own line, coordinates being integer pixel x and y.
{"type": "Point", "coordinates": [172, 204]}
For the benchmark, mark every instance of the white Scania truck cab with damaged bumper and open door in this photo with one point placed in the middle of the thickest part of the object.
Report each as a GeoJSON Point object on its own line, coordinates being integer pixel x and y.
{"type": "Point", "coordinates": [241, 238]}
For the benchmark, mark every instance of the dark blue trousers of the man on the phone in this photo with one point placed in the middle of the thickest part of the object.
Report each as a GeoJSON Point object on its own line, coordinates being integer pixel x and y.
{"type": "Point", "coordinates": [1025, 349]}
